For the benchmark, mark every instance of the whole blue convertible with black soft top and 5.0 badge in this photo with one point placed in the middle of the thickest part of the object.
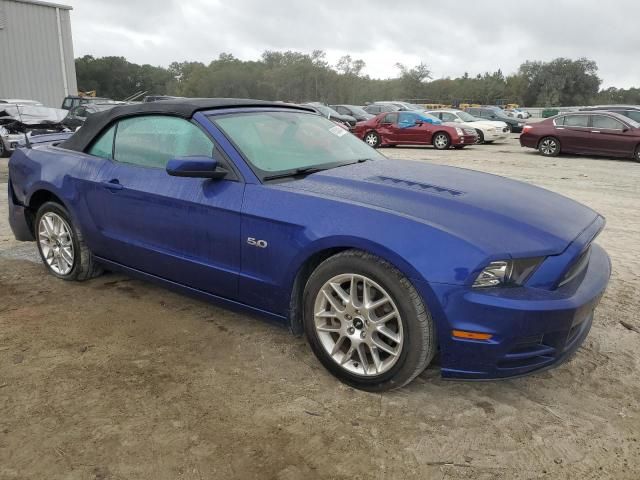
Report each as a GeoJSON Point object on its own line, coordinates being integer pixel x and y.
{"type": "Point", "coordinates": [271, 208]}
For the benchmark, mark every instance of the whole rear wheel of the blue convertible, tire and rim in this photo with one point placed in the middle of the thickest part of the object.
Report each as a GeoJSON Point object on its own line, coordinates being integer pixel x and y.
{"type": "Point", "coordinates": [55, 232]}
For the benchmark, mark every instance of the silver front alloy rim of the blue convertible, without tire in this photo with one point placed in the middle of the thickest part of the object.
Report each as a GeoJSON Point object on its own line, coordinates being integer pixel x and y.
{"type": "Point", "coordinates": [358, 324]}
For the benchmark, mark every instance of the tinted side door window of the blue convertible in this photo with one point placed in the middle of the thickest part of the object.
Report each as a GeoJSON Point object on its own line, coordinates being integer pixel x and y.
{"type": "Point", "coordinates": [151, 141]}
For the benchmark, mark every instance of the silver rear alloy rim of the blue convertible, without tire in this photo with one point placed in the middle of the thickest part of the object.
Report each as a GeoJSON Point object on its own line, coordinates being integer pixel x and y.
{"type": "Point", "coordinates": [56, 243]}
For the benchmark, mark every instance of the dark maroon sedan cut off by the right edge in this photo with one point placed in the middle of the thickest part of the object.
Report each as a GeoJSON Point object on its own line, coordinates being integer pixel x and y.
{"type": "Point", "coordinates": [590, 133]}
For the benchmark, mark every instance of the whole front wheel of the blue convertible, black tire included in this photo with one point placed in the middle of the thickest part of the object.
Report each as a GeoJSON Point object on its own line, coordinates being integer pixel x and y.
{"type": "Point", "coordinates": [409, 322]}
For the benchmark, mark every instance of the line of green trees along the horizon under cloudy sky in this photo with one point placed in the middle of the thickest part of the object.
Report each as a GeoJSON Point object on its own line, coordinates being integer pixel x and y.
{"type": "Point", "coordinates": [301, 77]}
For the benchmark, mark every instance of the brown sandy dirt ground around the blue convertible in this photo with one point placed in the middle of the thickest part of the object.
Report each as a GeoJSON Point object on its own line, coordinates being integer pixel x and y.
{"type": "Point", "coordinates": [120, 379]}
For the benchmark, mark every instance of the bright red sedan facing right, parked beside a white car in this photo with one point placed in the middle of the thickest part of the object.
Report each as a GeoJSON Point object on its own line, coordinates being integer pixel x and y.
{"type": "Point", "coordinates": [413, 128]}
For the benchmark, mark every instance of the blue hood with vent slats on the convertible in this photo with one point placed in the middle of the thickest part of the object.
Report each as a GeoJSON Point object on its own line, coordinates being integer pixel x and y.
{"type": "Point", "coordinates": [492, 213]}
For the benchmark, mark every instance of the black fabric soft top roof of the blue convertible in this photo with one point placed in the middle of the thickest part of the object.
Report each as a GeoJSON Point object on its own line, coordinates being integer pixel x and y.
{"type": "Point", "coordinates": [184, 108]}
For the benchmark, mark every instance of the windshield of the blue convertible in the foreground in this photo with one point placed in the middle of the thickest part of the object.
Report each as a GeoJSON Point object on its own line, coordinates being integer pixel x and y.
{"type": "Point", "coordinates": [289, 142]}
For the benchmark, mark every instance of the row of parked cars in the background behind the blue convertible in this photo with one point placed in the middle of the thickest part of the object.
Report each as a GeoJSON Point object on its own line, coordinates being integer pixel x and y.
{"type": "Point", "coordinates": [602, 130]}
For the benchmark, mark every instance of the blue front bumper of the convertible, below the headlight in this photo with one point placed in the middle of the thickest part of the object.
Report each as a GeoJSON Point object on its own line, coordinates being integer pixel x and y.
{"type": "Point", "coordinates": [533, 328]}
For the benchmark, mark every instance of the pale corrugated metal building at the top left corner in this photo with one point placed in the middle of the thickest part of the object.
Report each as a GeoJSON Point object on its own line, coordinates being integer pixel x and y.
{"type": "Point", "coordinates": [36, 52]}
